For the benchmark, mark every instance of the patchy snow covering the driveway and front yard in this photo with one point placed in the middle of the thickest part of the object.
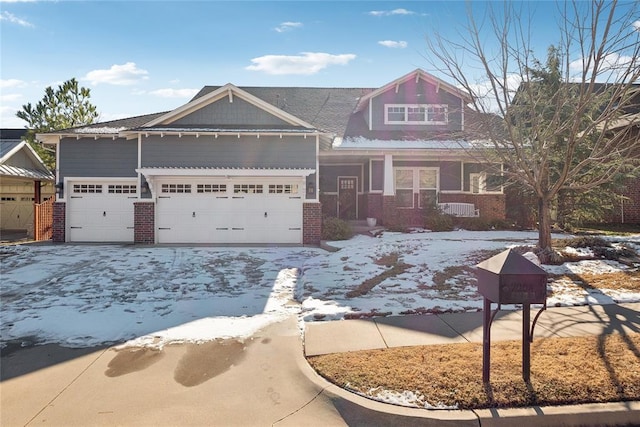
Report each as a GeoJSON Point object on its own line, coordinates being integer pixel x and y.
{"type": "Point", "coordinates": [85, 295]}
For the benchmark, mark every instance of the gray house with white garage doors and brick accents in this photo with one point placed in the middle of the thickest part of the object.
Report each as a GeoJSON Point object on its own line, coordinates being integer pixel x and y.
{"type": "Point", "coordinates": [265, 164]}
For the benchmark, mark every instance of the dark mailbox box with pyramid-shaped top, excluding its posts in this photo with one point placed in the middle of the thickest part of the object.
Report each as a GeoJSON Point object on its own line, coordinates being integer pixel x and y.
{"type": "Point", "coordinates": [510, 278]}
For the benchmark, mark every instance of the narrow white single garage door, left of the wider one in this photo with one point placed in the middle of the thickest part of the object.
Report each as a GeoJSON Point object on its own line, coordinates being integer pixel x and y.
{"type": "Point", "coordinates": [101, 212]}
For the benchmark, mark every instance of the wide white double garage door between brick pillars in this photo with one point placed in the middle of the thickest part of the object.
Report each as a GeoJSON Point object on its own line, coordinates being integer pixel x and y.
{"type": "Point", "coordinates": [260, 210]}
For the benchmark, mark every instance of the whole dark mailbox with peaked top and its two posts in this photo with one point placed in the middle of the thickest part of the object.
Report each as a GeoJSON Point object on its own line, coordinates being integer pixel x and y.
{"type": "Point", "coordinates": [510, 278]}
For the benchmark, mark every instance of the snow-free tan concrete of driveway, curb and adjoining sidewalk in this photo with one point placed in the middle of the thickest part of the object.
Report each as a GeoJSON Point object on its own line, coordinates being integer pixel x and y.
{"type": "Point", "coordinates": [266, 381]}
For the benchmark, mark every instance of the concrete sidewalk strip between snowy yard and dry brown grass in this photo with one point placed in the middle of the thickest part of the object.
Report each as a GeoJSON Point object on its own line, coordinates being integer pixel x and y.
{"type": "Point", "coordinates": [450, 328]}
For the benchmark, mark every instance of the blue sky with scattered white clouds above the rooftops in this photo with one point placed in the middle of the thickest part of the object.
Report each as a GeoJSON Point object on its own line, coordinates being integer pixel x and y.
{"type": "Point", "coordinates": [142, 57]}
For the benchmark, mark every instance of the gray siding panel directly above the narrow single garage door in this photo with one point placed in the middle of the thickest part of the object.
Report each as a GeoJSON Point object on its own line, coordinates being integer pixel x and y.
{"type": "Point", "coordinates": [106, 158]}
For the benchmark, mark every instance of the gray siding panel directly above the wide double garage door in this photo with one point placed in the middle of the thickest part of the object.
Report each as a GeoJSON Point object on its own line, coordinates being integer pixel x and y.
{"type": "Point", "coordinates": [229, 152]}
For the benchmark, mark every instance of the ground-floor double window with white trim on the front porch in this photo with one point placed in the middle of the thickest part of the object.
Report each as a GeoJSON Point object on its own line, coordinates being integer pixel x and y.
{"type": "Point", "coordinates": [421, 181]}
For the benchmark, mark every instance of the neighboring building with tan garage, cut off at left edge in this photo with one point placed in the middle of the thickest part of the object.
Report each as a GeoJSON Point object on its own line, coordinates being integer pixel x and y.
{"type": "Point", "coordinates": [24, 180]}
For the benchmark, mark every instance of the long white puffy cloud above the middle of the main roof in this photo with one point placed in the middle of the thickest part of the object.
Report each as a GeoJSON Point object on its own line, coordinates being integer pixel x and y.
{"type": "Point", "coordinates": [305, 64]}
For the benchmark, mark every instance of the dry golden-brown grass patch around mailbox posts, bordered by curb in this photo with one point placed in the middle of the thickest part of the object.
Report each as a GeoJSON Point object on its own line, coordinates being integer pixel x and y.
{"type": "Point", "coordinates": [563, 371]}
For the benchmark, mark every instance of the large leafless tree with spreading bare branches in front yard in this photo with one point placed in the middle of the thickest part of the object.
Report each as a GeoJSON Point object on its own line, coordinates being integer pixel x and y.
{"type": "Point", "coordinates": [554, 124]}
